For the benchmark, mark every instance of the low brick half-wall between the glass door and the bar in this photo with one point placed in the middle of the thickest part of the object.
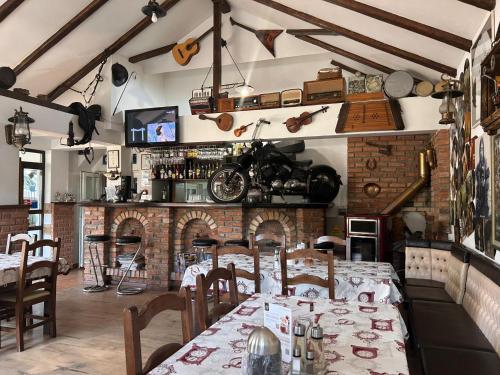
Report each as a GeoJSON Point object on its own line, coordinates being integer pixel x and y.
{"type": "Point", "coordinates": [63, 226]}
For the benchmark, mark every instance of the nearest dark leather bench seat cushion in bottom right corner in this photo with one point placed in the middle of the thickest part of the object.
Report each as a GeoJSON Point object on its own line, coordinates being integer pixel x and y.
{"type": "Point", "coordinates": [449, 361]}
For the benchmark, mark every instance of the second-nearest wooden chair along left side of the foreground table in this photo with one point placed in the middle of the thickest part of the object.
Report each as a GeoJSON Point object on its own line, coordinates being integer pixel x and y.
{"type": "Point", "coordinates": [204, 317]}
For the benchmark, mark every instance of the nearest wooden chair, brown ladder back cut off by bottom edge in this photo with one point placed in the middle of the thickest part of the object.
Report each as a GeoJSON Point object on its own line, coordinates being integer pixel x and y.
{"type": "Point", "coordinates": [135, 322]}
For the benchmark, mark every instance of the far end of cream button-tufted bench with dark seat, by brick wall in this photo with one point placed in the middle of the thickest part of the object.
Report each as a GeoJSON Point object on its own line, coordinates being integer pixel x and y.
{"type": "Point", "coordinates": [448, 261]}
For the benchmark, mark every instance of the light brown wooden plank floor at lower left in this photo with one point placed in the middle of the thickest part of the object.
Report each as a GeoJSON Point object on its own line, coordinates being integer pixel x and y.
{"type": "Point", "coordinates": [90, 335]}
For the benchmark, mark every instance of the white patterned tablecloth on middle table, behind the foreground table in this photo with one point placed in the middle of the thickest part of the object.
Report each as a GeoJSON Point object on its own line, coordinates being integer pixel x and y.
{"type": "Point", "coordinates": [354, 281]}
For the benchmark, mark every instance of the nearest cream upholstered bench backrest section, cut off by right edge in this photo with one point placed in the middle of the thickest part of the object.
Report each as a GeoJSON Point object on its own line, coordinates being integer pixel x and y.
{"type": "Point", "coordinates": [482, 297]}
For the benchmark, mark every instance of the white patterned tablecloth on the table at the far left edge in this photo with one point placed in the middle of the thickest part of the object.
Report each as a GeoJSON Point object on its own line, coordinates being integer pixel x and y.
{"type": "Point", "coordinates": [10, 263]}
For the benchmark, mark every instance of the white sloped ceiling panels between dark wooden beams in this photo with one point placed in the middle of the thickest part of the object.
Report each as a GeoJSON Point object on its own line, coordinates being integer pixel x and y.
{"type": "Point", "coordinates": [36, 20]}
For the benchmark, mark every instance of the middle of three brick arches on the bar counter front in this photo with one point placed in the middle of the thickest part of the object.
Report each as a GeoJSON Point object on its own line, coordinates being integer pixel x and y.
{"type": "Point", "coordinates": [192, 220]}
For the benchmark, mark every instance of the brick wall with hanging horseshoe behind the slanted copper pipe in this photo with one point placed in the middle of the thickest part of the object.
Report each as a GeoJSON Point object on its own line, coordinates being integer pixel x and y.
{"type": "Point", "coordinates": [397, 172]}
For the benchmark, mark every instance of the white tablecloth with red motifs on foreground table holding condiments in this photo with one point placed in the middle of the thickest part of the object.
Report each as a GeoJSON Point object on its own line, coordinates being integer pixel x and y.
{"type": "Point", "coordinates": [359, 338]}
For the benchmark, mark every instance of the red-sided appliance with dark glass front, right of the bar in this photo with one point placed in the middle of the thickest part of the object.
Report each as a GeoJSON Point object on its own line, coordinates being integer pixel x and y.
{"type": "Point", "coordinates": [368, 238]}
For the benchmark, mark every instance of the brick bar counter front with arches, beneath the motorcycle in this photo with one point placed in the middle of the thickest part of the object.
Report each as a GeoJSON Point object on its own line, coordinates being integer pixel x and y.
{"type": "Point", "coordinates": [168, 229]}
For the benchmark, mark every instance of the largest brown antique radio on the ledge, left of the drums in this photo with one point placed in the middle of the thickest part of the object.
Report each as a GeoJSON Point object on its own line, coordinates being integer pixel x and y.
{"type": "Point", "coordinates": [324, 91]}
